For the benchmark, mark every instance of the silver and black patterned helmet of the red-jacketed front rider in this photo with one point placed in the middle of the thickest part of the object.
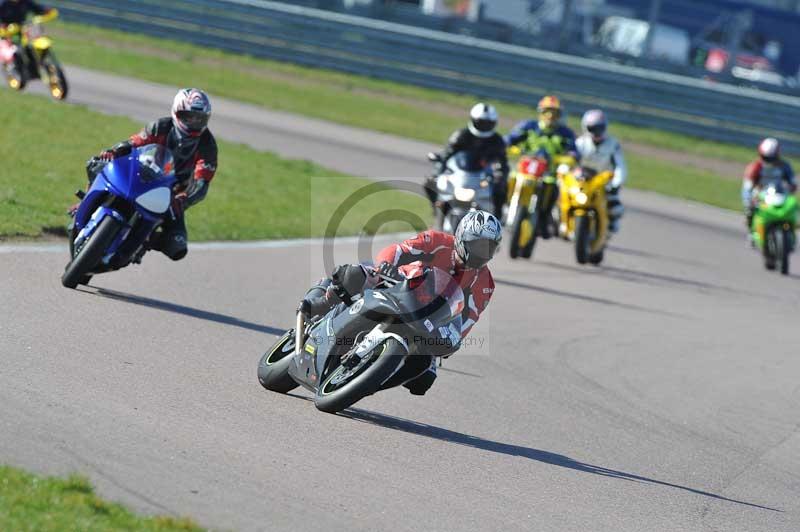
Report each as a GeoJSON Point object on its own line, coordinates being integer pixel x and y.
{"type": "Point", "coordinates": [478, 237]}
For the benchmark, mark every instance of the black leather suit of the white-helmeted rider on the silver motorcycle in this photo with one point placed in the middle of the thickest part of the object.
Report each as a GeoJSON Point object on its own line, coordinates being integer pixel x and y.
{"type": "Point", "coordinates": [490, 149]}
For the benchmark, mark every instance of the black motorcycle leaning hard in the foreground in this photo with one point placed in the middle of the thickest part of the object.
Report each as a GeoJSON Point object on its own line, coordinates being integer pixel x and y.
{"type": "Point", "coordinates": [363, 345]}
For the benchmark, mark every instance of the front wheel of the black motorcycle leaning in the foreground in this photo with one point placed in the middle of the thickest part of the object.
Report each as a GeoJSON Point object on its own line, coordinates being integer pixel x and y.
{"type": "Point", "coordinates": [334, 396]}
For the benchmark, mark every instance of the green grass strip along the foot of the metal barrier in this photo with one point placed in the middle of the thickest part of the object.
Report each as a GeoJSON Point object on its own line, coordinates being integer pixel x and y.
{"type": "Point", "coordinates": [360, 101]}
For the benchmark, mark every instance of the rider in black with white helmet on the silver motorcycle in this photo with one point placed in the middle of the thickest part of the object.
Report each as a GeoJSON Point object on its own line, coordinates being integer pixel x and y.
{"type": "Point", "coordinates": [482, 142]}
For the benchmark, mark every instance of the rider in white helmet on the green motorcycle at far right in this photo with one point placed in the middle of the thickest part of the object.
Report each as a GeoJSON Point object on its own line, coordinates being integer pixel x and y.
{"type": "Point", "coordinates": [769, 167]}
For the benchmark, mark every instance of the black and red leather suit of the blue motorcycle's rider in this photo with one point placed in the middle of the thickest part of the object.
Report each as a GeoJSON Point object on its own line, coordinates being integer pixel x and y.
{"type": "Point", "coordinates": [195, 166]}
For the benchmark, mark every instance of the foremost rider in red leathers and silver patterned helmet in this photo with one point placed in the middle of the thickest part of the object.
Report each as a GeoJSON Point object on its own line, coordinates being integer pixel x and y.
{"type": "Point", "coordinates": [464, 255]}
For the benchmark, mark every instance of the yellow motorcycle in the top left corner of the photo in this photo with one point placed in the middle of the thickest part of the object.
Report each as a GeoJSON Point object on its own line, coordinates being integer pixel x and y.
{"type": "Point", "coordinates": [31, 56]}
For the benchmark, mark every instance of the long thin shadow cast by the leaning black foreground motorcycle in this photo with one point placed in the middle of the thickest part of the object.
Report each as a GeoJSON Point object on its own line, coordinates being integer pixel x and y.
{"type": "Point", "coordinates": [559, 460]}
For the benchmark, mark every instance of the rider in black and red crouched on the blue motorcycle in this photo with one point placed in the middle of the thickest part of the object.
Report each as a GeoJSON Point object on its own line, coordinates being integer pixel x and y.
{"type": "Point", "coordinates": [194, 148]}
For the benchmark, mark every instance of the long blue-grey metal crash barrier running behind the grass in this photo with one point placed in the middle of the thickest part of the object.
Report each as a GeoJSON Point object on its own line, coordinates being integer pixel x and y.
{"type": "Point", "coordinates": [457, 63]}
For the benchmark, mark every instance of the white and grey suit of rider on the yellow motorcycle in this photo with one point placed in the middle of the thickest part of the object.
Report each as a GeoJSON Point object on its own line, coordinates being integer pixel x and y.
{"type": "Point", "coordinates": [603, 156]}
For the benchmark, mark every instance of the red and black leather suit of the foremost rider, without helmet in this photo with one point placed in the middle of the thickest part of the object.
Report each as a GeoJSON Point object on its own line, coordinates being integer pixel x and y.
{"type": "Point", "coordinates": [429, 248]}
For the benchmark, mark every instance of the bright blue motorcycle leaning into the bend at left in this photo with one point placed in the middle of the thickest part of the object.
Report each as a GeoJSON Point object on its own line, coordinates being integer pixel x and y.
{"type": "Point", "coordinates": [126, 203]}
